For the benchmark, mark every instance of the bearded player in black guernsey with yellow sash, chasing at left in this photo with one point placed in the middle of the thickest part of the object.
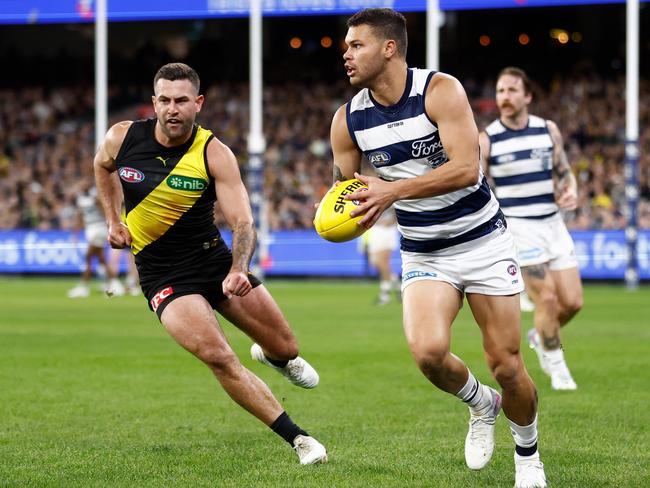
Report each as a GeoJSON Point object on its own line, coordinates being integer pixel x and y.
{"type": "Point", "coordinates": [171, 171]}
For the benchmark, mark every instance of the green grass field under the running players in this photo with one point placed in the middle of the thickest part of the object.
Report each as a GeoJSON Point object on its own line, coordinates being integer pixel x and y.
{"type": "Point", "coordinates": [94, 393]}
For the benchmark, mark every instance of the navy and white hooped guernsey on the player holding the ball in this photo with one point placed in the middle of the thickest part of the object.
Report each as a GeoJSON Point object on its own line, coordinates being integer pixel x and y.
{"type": "Point", "coordinates": [402, 142]}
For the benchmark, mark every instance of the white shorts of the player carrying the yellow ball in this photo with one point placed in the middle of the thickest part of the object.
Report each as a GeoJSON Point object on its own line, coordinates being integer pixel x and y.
{"type": "Point", "coordinates": [487, 265]}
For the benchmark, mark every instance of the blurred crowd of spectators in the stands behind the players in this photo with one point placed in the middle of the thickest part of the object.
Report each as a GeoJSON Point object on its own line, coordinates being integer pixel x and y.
{"type": "Point", "coordinates": [47, 145]}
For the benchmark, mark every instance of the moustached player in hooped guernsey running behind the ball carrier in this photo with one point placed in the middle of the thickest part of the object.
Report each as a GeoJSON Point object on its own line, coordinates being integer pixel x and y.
{"type": "Point", "coordinates": [533, 180]}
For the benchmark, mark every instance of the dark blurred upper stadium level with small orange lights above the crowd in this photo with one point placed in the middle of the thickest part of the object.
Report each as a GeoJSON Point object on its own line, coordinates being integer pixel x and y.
{"type": "Point", "coordinates": [473, 44]}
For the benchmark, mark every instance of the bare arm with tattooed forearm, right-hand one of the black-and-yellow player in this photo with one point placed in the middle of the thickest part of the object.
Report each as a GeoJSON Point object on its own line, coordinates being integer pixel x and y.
{"type": "Point", "coordinates": [230, 188]}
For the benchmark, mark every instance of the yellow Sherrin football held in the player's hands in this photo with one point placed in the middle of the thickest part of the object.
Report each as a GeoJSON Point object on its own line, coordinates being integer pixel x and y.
{"type": "Point", "coordinates": [333, 221]}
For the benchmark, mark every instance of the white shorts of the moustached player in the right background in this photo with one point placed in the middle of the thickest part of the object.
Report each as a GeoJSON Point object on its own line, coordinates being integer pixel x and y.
{"type": "Point", "coordinates": [543, 241]}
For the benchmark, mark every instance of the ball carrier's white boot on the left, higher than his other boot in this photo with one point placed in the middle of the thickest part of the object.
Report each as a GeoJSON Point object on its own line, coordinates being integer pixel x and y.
{"type": "Point", "coordinates": [479, 443]}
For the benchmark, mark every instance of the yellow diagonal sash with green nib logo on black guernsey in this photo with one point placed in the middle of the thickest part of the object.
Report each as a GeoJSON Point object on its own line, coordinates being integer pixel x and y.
{"type": "Point", "coordinates": [174, 196]}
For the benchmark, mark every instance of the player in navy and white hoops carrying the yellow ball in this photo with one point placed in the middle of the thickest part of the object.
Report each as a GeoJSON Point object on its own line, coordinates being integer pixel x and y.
{"type": "Point", "coordinates": [417, 129]}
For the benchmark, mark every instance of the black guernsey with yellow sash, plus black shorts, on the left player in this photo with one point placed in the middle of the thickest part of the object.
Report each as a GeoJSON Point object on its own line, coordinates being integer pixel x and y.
{"type": "Point", "coordinates": [169, 197]}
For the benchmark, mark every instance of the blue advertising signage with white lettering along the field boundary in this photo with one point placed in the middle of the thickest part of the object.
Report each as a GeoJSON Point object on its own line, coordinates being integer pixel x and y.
{"type": "Point", "coordinates": [602, 254]}
